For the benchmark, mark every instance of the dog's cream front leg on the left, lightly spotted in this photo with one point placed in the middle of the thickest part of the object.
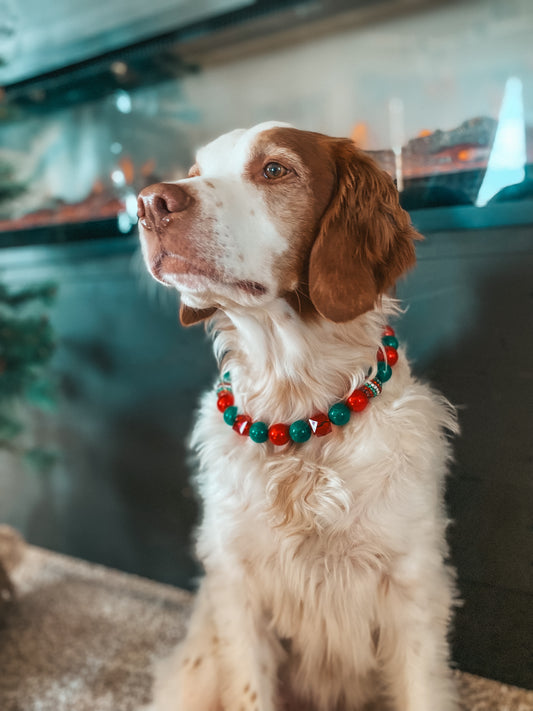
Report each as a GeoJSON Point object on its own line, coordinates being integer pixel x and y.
{"type": "Point", "coordinates": [248, 653]}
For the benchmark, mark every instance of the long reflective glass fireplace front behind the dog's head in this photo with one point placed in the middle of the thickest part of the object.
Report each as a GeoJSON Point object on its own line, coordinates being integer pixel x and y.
{"type": "Point", "coordinates": [447, 116]}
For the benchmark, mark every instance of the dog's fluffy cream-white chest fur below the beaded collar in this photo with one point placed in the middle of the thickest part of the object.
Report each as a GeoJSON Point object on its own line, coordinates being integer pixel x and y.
{"type": "Point", "coordinates": [333, 524]}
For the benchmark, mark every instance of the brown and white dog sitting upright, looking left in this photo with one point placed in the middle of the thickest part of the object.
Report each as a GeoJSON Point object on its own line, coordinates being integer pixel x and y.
{"type": "Point", "coordinates": [325, 583]}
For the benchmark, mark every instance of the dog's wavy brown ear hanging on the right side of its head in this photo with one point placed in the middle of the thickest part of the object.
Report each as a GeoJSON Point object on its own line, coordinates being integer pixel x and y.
{"type": "Point", "coordinates": [365, 241]}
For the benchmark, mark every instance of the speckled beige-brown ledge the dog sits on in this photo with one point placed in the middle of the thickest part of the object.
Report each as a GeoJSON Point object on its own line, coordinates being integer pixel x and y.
{"type": "Point", "coordinates": [84, 637]}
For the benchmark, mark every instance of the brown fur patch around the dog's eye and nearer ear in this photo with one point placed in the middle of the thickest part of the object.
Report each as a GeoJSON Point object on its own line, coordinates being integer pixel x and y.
{"type": "Point", "coordinates": [349, 238]}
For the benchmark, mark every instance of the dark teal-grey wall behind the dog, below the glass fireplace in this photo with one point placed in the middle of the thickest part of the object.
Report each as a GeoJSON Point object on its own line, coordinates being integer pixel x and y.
{"type": "Point", "coordinates": [129, 379]}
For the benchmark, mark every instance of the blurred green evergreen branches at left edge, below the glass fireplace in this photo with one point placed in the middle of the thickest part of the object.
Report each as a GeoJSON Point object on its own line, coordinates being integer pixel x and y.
{"type": "Point", "coordinates": [26, 345]}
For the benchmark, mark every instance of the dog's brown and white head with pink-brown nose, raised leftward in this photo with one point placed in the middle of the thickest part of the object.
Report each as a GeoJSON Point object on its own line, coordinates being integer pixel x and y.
{"type": "Point", "coordinates": [274, 212]}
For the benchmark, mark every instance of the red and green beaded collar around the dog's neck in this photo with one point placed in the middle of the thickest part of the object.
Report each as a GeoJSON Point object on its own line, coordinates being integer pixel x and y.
{"type": "Point", "coordinates": [320, 423]}
